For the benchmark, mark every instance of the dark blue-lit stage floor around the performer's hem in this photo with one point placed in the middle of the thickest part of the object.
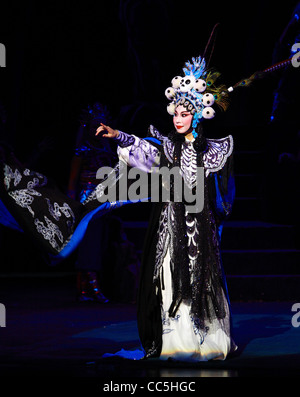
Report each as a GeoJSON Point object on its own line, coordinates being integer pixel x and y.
{"type": "Point", "coordinates": [49, 334]}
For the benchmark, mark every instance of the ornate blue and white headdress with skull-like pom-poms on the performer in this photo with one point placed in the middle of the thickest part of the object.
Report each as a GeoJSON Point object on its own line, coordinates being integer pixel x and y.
{"type": "Point", "coordinates": [196, 91]}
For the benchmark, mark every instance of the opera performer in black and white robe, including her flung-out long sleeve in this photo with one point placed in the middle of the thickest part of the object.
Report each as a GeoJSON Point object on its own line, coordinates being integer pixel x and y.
{"type": "Point", "coordinates": [183, 304]}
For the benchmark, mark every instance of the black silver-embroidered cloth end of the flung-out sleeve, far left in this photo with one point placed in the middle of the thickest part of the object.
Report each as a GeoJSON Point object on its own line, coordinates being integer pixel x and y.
{"type": "Point", "coordinates": [47, 199]}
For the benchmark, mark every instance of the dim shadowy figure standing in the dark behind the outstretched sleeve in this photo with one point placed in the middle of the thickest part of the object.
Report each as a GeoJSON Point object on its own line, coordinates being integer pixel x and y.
{"type": "Point", "coordinates": [91, 153]}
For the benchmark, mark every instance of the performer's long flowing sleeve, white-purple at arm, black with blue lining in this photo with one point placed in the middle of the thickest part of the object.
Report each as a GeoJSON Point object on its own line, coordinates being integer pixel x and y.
{"type": "Point", "coordinates": [32, 203]}
